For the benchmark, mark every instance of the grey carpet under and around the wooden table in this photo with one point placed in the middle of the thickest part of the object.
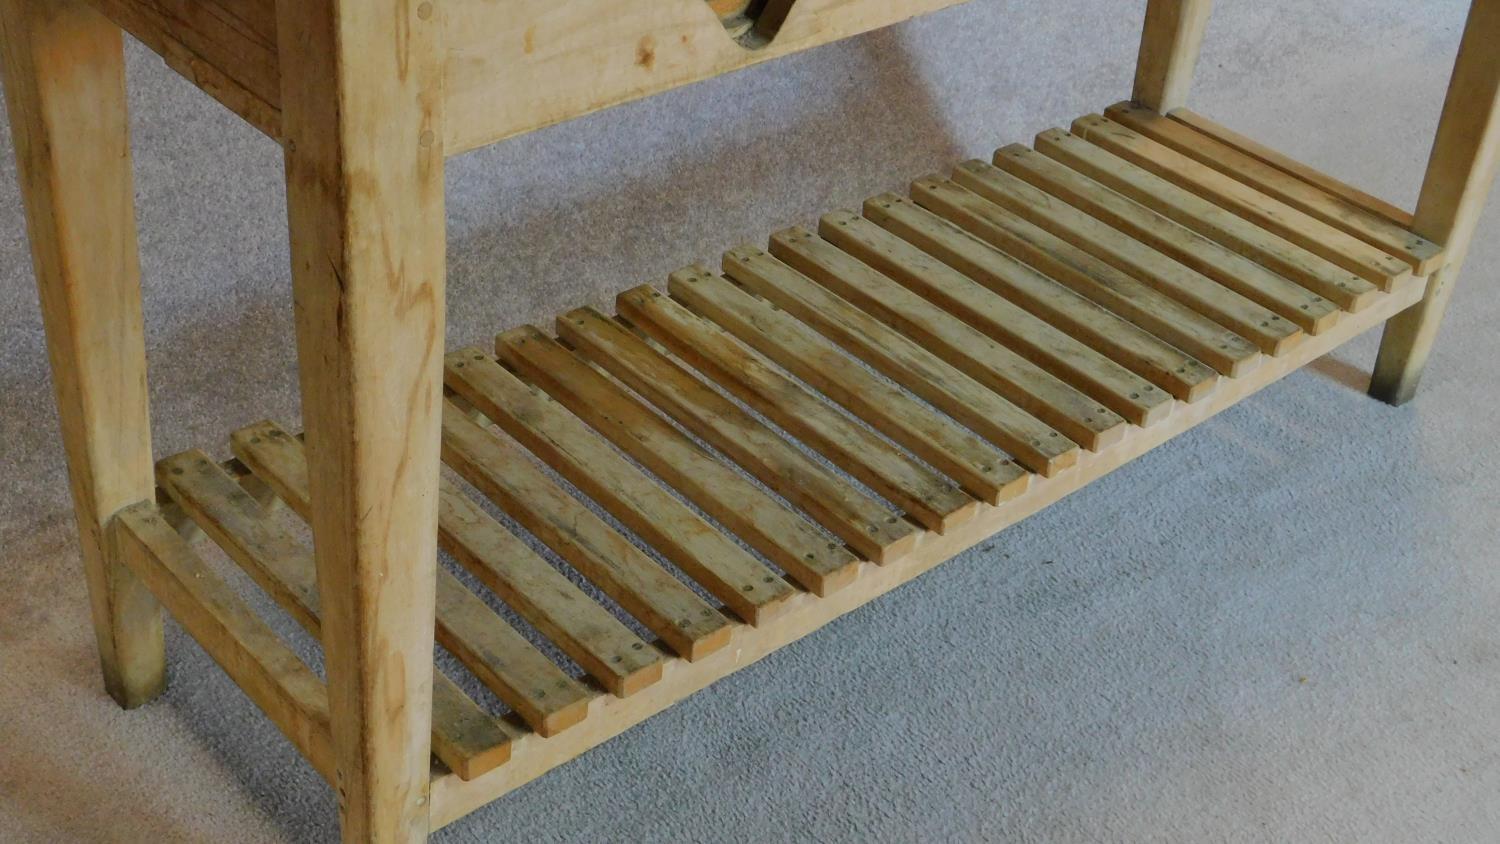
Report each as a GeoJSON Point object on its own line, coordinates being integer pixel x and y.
{"type": "Point", "coordinates": [1282, 627]}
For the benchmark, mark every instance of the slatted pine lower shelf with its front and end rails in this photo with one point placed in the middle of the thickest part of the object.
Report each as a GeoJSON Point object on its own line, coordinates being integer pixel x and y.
{"type": "Point", "coordinates": [815, 426]}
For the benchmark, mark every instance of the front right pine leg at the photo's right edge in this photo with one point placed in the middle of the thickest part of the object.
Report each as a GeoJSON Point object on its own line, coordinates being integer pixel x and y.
{"type": "Point", "coordinates": [1459, 178]}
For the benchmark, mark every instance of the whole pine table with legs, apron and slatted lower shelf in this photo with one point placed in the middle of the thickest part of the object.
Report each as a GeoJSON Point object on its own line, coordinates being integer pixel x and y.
{"type": "Point", "coordinates": [1022, 328]}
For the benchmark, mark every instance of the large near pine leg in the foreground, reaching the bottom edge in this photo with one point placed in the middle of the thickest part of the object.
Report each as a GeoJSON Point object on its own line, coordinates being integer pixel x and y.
{"type": "Point", "coordinates": [362, 124]}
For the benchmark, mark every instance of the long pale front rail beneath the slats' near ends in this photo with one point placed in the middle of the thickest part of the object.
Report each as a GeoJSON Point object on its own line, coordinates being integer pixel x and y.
{"type": "Point", "coordinates": [610, 717]}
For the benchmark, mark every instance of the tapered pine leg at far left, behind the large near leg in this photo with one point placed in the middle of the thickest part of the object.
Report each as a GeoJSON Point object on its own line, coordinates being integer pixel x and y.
{"type": "Point", "coordinates": [65, 94]}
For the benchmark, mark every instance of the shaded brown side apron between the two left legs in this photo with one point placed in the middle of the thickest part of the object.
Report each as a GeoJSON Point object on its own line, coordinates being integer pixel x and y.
{"type": "Point", "coordinates": [224, 47]}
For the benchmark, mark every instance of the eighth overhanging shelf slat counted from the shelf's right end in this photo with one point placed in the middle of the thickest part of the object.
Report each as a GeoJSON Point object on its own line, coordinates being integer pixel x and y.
{"type": "Point", "coordinates": [979, 307]}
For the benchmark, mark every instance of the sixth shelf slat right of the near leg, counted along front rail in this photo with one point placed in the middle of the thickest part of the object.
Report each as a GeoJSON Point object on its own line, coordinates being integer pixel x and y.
{"type": "Point", "coordinates": [767, 525]}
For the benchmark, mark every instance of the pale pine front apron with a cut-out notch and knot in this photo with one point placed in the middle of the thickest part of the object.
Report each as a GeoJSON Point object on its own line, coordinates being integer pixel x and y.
{"type": "Point", "coordinates": [527, 64]}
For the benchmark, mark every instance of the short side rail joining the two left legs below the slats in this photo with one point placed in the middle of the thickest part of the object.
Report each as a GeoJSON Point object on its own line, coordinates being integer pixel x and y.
{"type": "Point", "coordinates": [254, 657]}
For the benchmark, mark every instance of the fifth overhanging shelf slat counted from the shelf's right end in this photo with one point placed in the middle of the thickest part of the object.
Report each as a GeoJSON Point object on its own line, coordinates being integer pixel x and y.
{"type": "Point", "coordinates": [1136, 274]}
